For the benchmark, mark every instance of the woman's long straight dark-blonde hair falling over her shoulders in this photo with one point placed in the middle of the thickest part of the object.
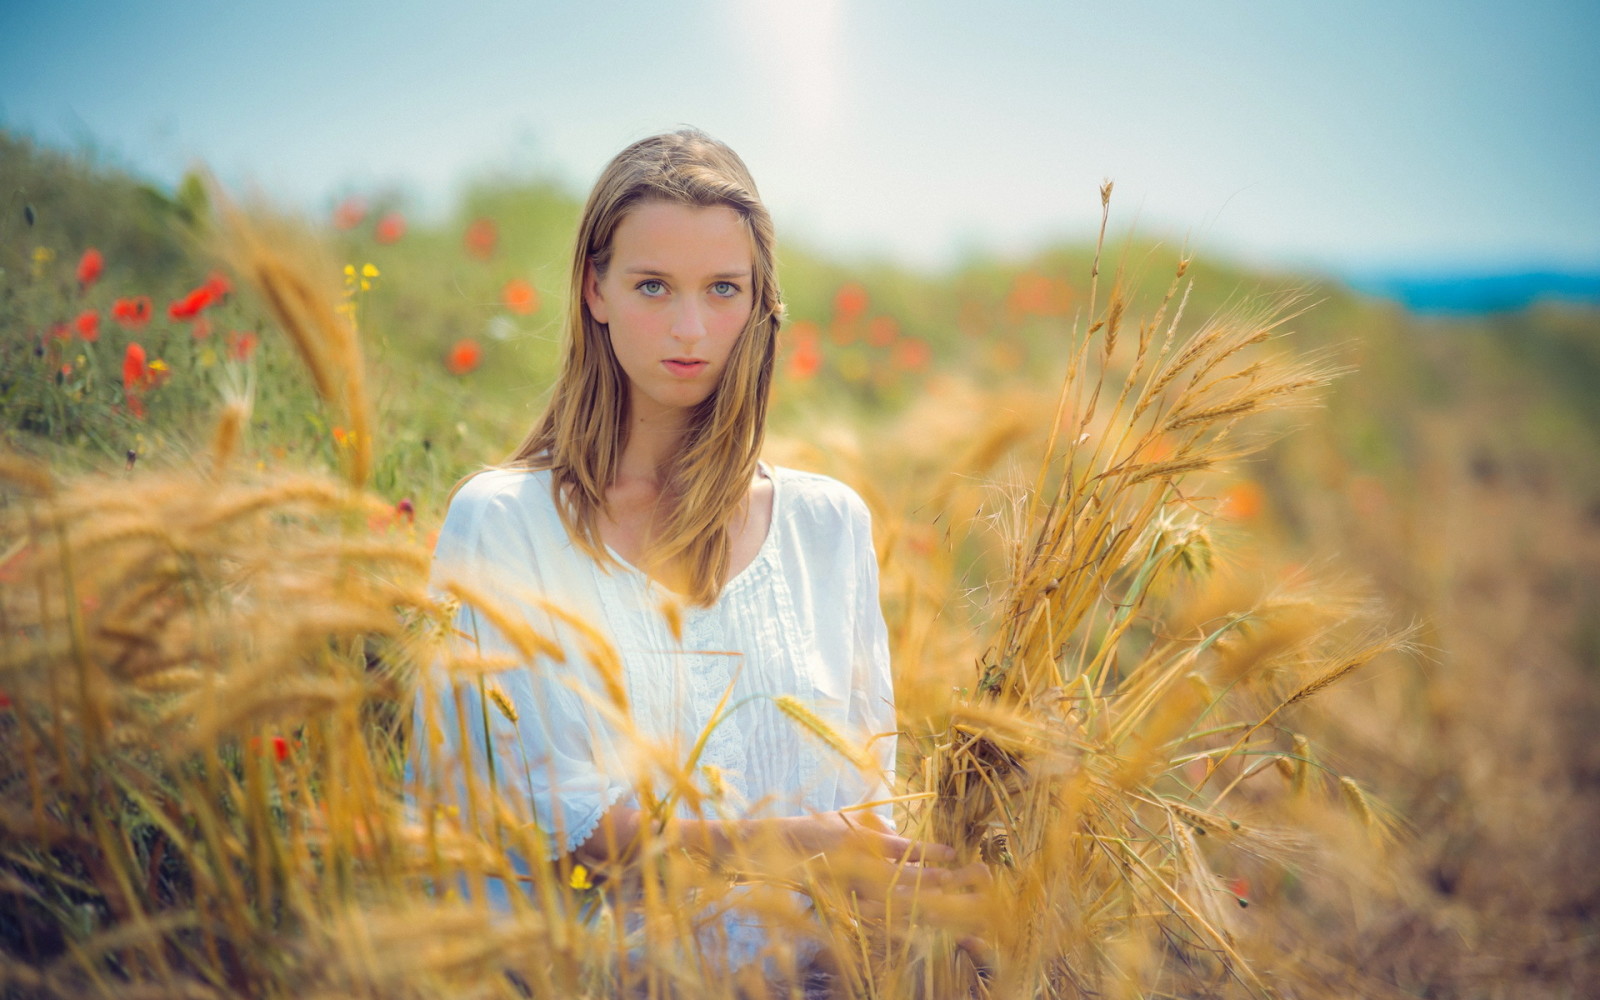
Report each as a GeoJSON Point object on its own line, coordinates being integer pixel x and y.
{"type": "Point", "coordinates": [583, 433]}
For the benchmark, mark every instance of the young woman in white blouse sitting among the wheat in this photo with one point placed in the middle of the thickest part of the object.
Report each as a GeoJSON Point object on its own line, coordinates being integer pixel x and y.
{"type": "Point", "coordinates": [639, 508]}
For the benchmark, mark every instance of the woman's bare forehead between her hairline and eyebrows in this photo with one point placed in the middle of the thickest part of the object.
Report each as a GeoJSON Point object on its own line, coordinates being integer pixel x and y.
{"type": "Point", "coordinates": [682, 239]}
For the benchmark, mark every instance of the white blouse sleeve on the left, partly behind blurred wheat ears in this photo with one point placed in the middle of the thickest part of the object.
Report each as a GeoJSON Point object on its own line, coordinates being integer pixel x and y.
{"type": "Point", "coordinates": [537, 734]}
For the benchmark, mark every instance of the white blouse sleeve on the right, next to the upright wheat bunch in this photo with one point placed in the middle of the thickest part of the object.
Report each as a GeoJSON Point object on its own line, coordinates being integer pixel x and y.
{"type": "Point", "coordinates": [873, 689]}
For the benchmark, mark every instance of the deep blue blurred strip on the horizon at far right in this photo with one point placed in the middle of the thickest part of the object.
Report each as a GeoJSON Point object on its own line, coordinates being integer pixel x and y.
{"type": "Point", "coordinates": [1478, 294]}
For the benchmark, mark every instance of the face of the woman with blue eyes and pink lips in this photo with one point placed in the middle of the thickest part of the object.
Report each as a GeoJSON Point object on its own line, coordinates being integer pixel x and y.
{"type": "Point", "coordinates": [674, 298]}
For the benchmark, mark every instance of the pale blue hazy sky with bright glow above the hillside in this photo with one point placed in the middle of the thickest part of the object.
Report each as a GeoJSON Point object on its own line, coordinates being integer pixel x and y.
{"type": "Point", "coordinates": [1343, 135]}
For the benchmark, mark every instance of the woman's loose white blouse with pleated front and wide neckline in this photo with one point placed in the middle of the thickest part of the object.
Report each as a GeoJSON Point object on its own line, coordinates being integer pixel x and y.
{"type": "Point", "coordinates": [801, 620]}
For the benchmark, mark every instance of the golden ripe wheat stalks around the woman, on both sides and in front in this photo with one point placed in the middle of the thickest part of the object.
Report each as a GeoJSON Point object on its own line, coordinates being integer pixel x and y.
{"type": "Point", "coordinates": [207, 674]}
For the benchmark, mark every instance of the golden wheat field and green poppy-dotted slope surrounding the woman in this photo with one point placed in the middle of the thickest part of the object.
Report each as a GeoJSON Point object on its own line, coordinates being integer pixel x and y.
{"type": "Point", "coordinates": [1246, 630]}
